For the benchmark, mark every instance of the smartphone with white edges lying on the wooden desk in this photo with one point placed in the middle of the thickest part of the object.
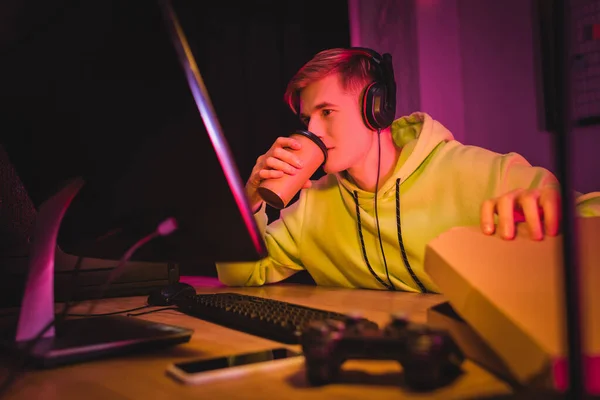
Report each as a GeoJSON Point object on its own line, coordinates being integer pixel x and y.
{"type": "Point", "coordinates": [199, 371]}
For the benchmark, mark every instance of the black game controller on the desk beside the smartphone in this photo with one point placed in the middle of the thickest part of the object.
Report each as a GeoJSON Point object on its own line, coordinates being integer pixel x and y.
{"type": "Point", "coordinates": [429, 357]}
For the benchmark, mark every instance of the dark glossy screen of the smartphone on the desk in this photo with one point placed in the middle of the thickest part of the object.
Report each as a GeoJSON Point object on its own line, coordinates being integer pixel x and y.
{"type": "Point", "coordinates": [193, 367]}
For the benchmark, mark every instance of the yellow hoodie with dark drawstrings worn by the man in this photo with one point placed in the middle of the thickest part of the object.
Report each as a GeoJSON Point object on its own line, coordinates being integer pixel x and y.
{"type": "Point", "coordinates": [331, 231]}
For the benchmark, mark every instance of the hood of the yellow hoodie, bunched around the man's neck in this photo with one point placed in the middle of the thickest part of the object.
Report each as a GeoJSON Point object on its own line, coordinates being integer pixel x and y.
{"type": "Point", "coordinates": [418, 134]}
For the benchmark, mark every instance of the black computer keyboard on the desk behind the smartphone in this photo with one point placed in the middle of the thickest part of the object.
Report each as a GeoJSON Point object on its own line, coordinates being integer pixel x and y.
{"type": "Point", "coordinates": [271, 319]}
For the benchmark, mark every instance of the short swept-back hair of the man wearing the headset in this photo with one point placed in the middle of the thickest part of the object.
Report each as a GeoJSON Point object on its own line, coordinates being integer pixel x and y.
{"type": "Point", "coordinates": [353, 66]}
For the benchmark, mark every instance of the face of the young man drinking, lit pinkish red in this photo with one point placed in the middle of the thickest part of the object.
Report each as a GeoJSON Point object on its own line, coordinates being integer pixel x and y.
{"type": "Point", "coordinates": [335, 116]}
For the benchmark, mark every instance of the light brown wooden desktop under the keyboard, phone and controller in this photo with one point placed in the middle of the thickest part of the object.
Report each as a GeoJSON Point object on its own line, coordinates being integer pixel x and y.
{"type": "Point", "coordinates": [143, 376]}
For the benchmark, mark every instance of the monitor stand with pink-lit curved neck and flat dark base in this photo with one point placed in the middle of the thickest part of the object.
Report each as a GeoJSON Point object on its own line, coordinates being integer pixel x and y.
{"type": "Point", "coordinates": [72, 340]}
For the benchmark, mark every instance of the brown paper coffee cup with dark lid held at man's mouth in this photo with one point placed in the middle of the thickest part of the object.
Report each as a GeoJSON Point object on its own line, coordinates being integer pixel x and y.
{"type": "Point", "coordinates": [278, 192]}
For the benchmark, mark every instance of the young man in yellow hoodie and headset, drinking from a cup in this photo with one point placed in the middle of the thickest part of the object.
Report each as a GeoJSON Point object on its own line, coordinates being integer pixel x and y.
{"type": "Point", "coordinates": [426, 183]}
